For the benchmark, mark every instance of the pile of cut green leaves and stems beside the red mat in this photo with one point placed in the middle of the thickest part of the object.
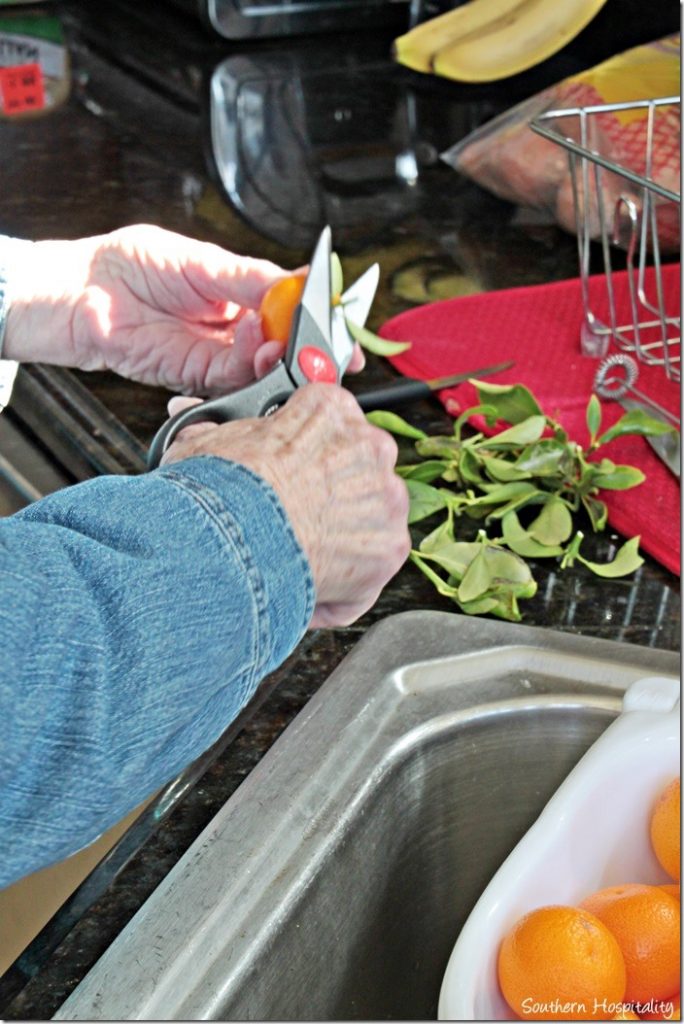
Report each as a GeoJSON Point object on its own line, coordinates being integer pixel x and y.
{"type": "Point", "coordinates": [525, 484]}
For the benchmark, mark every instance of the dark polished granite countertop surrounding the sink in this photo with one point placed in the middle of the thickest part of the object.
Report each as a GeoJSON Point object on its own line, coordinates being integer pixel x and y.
{"type": "Point", "coordinates": [134, 143]}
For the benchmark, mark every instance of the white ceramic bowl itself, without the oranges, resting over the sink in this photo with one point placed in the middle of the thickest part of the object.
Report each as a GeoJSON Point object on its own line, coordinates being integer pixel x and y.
{"type": "Point", "coordinates": [592, 834]}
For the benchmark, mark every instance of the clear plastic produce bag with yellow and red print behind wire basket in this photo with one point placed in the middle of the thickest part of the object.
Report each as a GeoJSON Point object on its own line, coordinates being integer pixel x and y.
{"type": "Point", "coordinates": [506, 157]}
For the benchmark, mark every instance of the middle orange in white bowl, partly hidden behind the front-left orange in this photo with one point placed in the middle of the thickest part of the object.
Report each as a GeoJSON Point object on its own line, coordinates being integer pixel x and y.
{"type": "Point", "coordinates": [646, 922]}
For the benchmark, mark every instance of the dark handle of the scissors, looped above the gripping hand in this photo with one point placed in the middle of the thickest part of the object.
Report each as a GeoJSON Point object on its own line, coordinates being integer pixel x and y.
{"type": "Point", "coordinates": [260, 399]}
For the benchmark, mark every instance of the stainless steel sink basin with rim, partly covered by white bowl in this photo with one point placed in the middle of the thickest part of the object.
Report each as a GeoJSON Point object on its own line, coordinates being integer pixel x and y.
{"type": "Point", "coordinates": [333, 884]}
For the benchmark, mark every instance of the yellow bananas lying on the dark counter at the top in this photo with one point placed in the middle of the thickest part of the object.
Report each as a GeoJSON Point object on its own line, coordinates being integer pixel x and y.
{"type": "Point", "coordinates": [487, 40]}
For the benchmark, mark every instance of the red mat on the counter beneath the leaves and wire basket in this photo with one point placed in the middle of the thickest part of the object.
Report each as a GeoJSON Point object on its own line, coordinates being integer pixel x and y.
{"type": "Point", "coordinates": [539, 328]}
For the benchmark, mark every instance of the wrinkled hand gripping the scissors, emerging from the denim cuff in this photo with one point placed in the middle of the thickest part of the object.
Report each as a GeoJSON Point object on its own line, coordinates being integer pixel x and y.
{"type": "Point", "coordinates": [335, 477]}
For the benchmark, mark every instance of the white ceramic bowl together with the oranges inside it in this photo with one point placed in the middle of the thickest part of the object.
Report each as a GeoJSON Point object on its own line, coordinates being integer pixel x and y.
{"type": "Point", "coordinates": [582, 921]}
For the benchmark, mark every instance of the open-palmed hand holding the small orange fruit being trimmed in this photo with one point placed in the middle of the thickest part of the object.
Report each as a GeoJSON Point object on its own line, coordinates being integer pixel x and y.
{"type": "Point", "coordinates": [152, 306]}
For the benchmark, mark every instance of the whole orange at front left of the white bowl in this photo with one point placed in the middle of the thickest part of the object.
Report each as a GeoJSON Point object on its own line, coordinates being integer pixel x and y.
{"type": "Point", "coordinates": [561, 963]}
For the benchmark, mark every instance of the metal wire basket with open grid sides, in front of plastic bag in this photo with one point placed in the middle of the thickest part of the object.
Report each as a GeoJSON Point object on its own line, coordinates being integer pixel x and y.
{"type": "Point", "coordinates": [653, 333]}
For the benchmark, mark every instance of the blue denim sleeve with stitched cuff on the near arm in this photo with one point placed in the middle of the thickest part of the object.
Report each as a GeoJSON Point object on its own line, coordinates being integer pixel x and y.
{"type": "Point", "coordinates": [138, 616]}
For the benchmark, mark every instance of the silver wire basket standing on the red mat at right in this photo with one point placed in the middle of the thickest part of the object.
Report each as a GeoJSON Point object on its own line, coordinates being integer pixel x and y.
{"type": "Point", "coordinates": [632, 210]}
